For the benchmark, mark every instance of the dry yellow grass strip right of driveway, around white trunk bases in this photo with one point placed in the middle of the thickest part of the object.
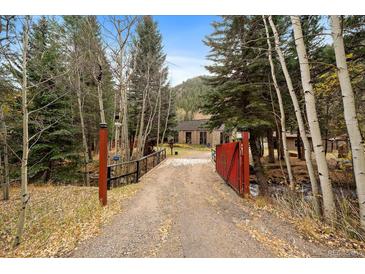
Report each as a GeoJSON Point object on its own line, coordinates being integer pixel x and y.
{"type": "Point", "coordinates": [344, 233]}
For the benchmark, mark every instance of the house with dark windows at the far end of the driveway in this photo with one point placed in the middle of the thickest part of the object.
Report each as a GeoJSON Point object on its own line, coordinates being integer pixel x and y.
{"type": "Point", "coordinates": [194, 132]}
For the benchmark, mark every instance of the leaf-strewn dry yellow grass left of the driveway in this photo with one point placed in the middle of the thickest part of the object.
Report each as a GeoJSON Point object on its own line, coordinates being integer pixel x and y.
{"type": "Point", "coordinates": [58, 218]}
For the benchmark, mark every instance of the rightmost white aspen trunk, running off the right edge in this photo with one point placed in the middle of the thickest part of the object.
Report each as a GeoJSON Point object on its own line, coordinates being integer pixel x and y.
{"type": "Point", "coordinates": [352, 124]}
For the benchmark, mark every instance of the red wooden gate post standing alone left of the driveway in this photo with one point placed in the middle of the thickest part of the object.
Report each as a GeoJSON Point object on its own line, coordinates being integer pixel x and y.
{"type": "Point", "coordinates": [103, 163]}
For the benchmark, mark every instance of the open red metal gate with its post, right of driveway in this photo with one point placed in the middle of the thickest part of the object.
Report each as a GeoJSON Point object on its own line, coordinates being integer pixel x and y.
{"type": "Point", "coordinates": [232, 164]}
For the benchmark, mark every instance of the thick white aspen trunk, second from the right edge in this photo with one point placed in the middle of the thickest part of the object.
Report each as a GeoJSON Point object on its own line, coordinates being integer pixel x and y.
{"type": "Point", "coordinates": [310, 103]}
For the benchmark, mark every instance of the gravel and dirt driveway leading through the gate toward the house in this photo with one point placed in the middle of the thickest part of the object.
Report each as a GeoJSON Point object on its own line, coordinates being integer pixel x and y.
{"type": "Point", "coordinates": [184, 209]}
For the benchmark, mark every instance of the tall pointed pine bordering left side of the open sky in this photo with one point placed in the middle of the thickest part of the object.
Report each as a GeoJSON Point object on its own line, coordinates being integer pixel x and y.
{"type": "Point", "coordinates": [148, 83]}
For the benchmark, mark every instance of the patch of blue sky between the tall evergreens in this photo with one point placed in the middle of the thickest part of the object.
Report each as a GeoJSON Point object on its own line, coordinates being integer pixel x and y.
{"type": "Point", "coordinates": [182, 39]}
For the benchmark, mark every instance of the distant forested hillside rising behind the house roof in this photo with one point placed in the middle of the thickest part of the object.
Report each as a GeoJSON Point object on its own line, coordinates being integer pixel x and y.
{"type": "Point", "coordinates": [190, 95]}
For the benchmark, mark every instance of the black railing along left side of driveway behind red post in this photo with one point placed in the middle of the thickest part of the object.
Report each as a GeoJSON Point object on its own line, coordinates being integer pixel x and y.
{"type": "Point", "coordinates": [132, 171]}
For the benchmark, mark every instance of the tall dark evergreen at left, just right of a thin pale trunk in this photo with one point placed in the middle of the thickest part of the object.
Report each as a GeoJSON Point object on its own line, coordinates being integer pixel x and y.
{"type": "Point", "coordinates": [49, 109]}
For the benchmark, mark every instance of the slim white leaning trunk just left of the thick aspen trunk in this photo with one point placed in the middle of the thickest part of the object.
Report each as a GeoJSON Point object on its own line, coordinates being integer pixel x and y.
{"type": "Point", "coordinates": [298, 115]}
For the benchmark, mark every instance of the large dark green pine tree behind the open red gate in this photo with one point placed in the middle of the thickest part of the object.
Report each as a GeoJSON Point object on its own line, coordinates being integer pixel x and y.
{"type": "Point", "coordinates": [240, 99]}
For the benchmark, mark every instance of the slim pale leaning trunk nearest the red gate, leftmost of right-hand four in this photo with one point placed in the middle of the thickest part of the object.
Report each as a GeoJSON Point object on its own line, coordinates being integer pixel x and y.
{"type": "Point", "coordinates": [282, 112]}
